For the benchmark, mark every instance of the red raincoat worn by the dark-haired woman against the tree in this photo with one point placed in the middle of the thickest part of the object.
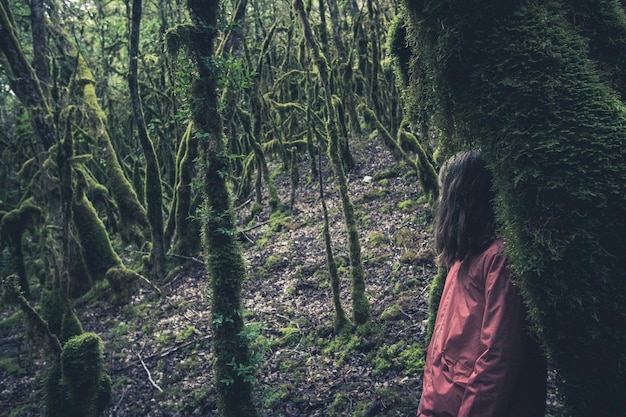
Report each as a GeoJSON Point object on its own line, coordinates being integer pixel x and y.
{"type": "Point", "coordinates": [480, 361]}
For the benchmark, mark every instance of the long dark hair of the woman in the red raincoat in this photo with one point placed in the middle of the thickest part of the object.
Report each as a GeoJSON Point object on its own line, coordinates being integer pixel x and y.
{"type": "Point", "coordinates": [464, 221]}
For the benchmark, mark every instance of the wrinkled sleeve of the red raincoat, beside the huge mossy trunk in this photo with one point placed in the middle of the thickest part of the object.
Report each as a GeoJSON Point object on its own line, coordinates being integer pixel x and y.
{"type": "Point", "coordinates": [490, 385]}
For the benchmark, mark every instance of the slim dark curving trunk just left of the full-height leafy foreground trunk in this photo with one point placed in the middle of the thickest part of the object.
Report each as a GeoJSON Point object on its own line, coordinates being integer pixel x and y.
{"type": "Point", "coordinates": [153, 188]}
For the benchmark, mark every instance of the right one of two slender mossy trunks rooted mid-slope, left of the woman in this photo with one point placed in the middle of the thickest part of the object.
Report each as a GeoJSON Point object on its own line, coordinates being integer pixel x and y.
{"type": "Point", "coordinates": [360, 304]}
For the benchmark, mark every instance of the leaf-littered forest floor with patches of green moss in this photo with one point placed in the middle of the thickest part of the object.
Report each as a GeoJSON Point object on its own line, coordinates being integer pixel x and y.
{"type": "Point", "coordinates": [158, 349]}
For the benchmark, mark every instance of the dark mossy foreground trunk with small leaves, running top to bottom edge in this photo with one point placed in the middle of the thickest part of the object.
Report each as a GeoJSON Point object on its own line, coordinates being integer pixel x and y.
{"type": "Point", "coordinates": [234, 372]}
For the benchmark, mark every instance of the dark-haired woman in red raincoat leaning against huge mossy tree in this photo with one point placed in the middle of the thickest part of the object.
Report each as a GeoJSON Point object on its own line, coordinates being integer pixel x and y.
{"type": "Point", "coordinates": [480, 361]}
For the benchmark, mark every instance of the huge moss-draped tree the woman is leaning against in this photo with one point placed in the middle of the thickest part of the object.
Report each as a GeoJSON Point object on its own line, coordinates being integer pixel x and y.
{"type": "Point", "coordinates": [528, 82]}
